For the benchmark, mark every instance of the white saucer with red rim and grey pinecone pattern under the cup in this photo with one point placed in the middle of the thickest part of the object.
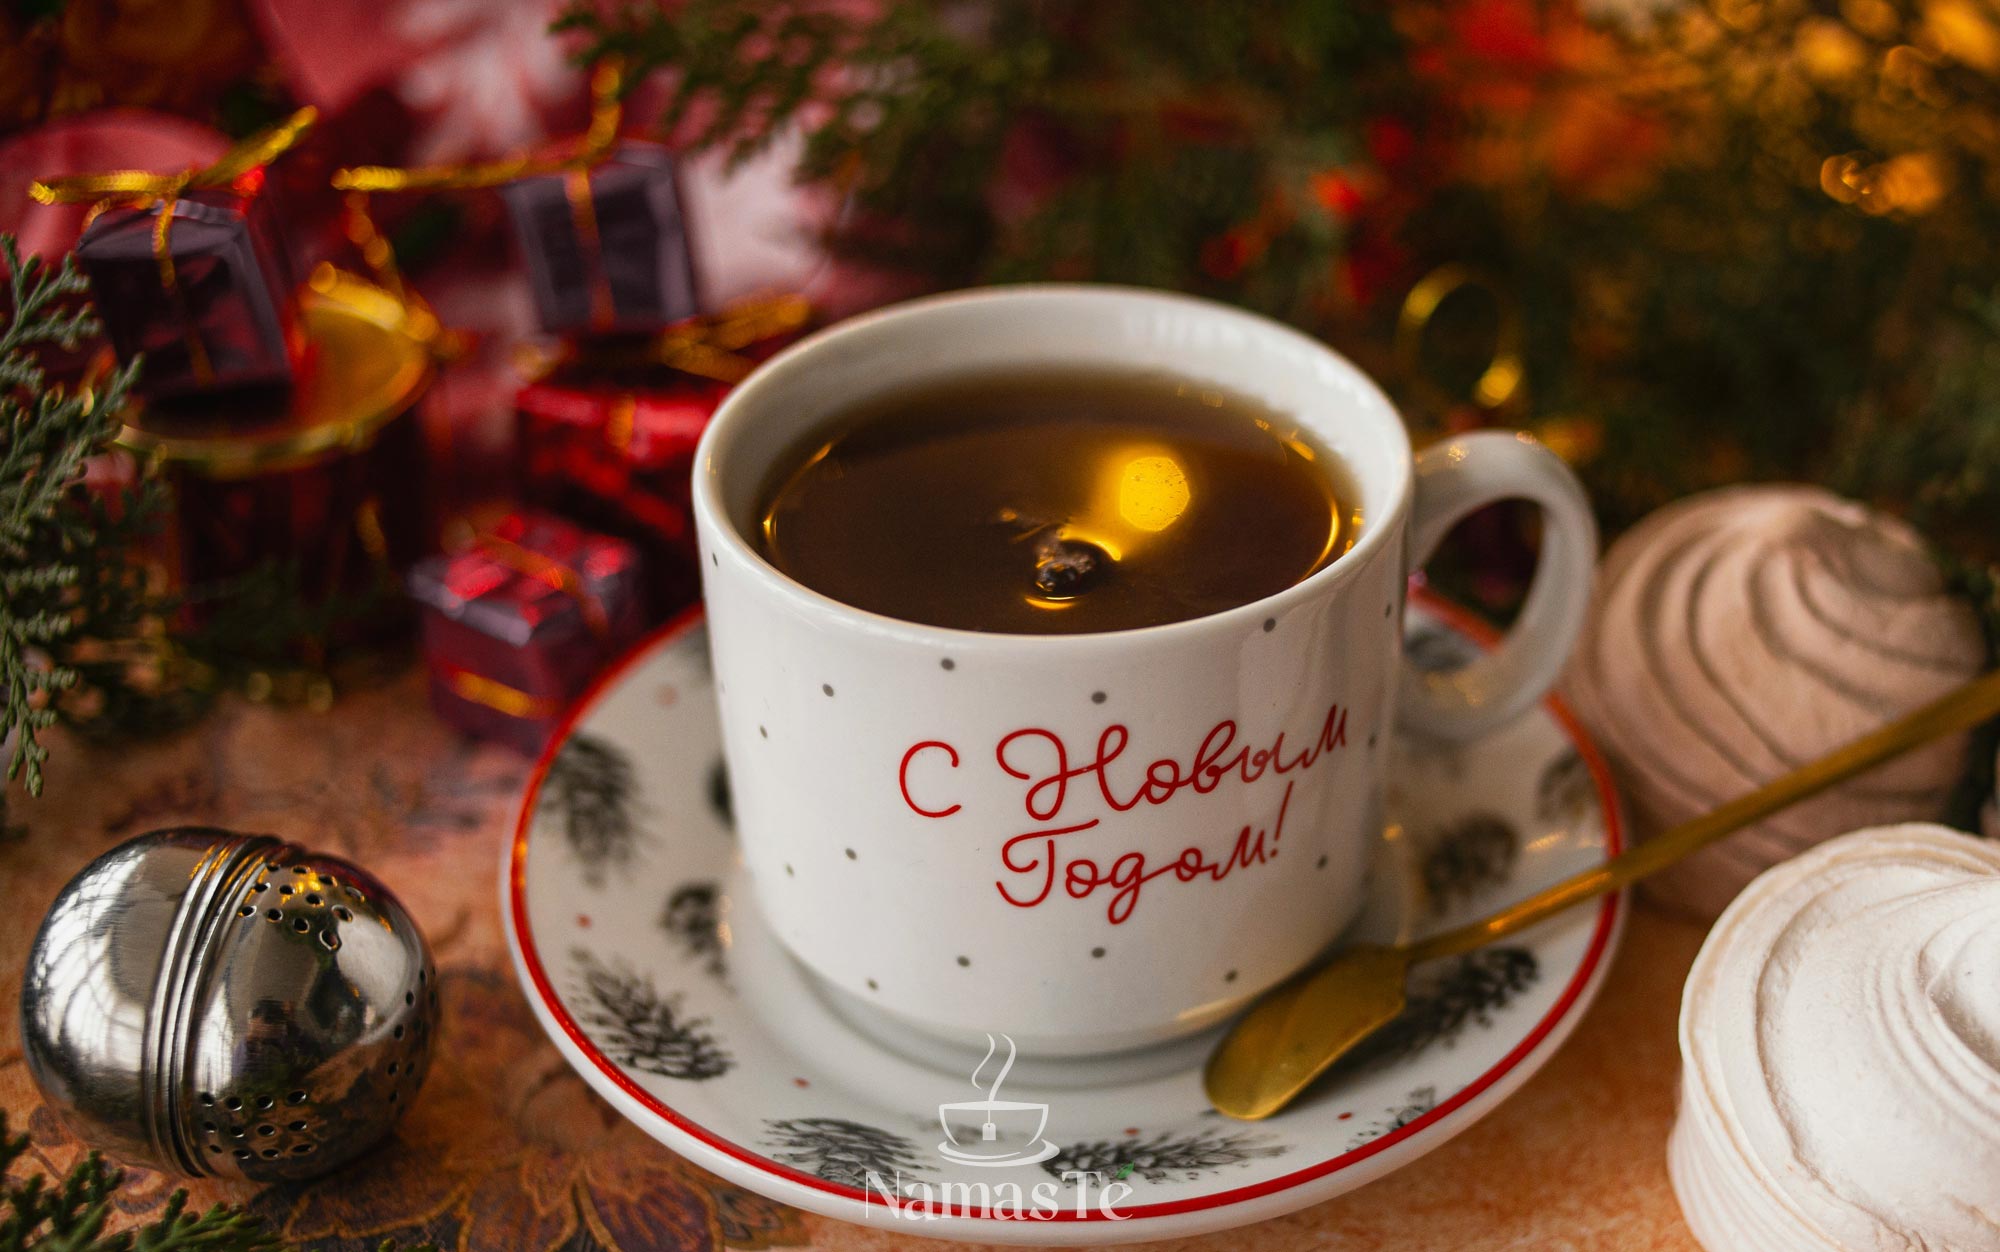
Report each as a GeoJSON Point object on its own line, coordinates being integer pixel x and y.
{"type": "Point", "coordinates": [663, 987]}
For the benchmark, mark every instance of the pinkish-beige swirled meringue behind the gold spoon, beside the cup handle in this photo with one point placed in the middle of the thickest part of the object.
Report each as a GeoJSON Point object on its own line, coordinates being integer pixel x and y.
{"type": "Point", "coordinates": [1747, 631]}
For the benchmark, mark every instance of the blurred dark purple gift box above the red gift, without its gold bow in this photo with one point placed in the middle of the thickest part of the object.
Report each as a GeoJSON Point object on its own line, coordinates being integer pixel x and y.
{"type": "Point", "coordinates": [607, 251]}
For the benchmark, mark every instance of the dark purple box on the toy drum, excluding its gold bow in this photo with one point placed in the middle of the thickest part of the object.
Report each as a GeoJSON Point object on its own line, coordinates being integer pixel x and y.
{"type": "Point", "coordinates": [225, 317]}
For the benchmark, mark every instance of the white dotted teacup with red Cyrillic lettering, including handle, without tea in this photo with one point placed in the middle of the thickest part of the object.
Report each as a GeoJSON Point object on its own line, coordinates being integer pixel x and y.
{"type": "Point", "coordinates": [1093, 841]}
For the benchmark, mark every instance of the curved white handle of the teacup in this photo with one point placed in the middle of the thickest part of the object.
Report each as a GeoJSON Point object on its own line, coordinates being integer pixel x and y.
{"type": "Point", "coordinates": [1463, 475]}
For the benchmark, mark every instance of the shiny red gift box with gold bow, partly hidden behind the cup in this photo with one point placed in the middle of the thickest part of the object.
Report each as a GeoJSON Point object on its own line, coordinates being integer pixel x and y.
{"type": "Point", "coordinates": [607, 431]}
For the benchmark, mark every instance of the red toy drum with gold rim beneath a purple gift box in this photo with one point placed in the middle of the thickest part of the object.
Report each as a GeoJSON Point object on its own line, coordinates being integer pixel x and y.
{"type": "Point", "coordinates": [319, 485]}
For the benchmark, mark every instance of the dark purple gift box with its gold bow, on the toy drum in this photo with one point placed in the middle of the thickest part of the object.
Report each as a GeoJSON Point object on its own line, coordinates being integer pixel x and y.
{"type": "Point", "coordinates": [189, 267]}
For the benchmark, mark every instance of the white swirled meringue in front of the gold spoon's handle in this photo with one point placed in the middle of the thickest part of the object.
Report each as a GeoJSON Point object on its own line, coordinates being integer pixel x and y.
{"type": "Point", "coordinates": [1841, 1053]}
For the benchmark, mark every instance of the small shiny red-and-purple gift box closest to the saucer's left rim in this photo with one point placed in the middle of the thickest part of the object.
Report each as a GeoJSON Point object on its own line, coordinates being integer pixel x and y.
{"type": "Point", "coordinates": [517, 625]}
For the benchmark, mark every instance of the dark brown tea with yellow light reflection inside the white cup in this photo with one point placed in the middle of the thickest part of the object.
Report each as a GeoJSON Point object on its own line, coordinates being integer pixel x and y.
{"type": "Point", "coordinates": [1057, 503]}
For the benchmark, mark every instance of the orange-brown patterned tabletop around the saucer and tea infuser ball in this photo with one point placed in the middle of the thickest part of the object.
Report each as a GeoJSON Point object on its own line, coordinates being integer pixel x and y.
{"type": "Point", "coordinates": [507, 1151]}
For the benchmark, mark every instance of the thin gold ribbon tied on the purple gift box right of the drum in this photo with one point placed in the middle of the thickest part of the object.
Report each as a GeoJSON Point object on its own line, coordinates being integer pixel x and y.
{"type": "Point", "coordinates": [607, 111]}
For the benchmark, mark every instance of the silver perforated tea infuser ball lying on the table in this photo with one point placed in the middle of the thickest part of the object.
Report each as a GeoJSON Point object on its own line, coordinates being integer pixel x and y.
{"type": "Point", "coordinates": [229, 1005]}
